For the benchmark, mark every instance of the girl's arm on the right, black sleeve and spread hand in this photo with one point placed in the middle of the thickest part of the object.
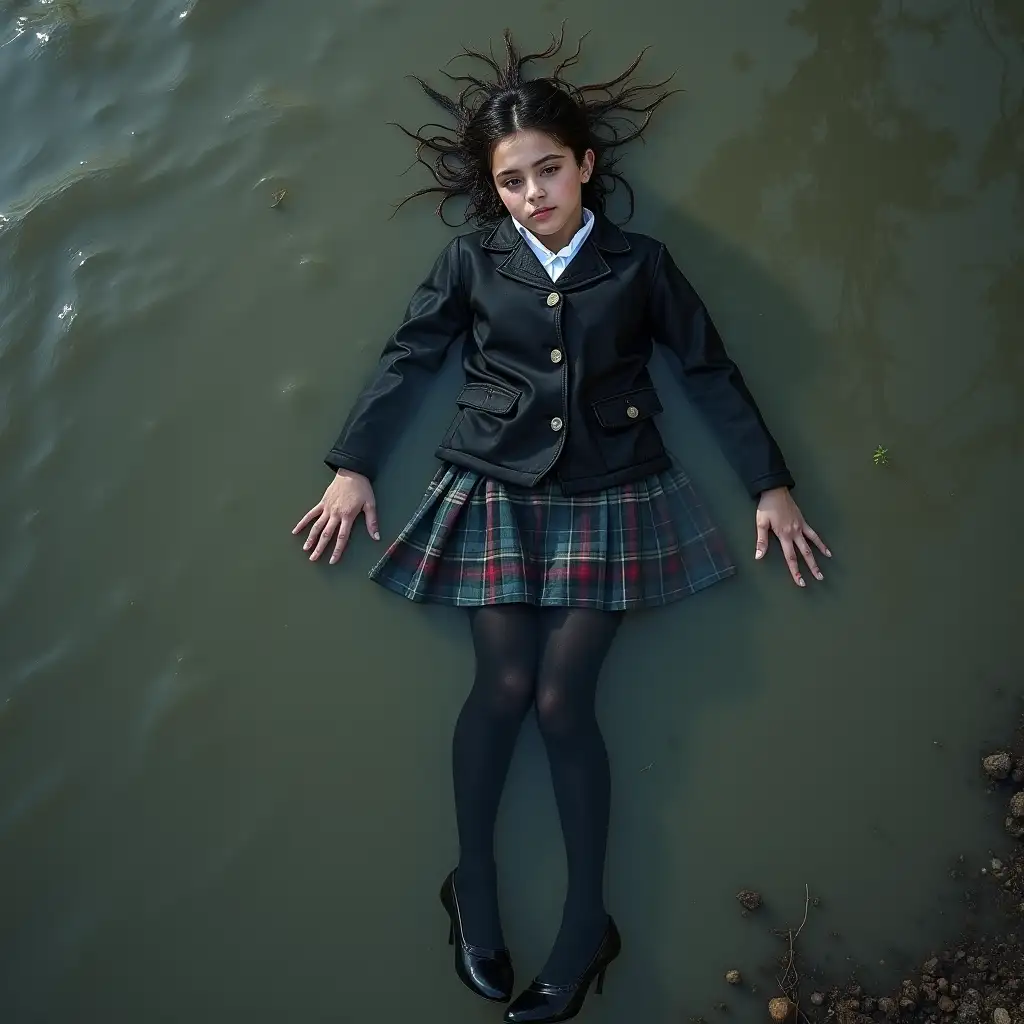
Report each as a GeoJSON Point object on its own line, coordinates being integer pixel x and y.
{"type": "Point", "coordinates": [680, 321]}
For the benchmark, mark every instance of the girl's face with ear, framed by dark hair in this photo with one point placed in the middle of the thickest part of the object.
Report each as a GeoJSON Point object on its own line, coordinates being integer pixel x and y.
{"type": "Point", "coordinates": [540, 183]}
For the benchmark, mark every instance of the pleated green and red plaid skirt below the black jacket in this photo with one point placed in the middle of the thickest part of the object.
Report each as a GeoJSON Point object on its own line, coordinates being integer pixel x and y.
{"type": "Point", "coordinates": [477, 541]}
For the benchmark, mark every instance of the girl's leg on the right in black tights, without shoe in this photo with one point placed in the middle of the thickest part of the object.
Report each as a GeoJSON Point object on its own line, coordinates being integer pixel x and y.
{"type": "Point", "coordinates": [575, 643]}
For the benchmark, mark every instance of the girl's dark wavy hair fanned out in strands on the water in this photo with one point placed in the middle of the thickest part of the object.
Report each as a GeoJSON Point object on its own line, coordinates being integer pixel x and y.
{"type": "Point", "coordinates": [602, 117]}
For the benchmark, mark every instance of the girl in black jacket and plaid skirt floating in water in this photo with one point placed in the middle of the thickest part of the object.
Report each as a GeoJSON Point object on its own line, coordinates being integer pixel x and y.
{"type": "Point", "coordinates": [557, 508]}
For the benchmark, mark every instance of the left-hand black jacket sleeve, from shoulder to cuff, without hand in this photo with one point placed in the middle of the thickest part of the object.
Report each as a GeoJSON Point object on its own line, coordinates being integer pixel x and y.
{"type": "Point", "coordinates": [438, 316]}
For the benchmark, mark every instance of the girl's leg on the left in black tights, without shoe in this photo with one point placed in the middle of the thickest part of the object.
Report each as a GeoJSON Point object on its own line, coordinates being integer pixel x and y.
{"type": "Point", "coordinates": [506, 643]}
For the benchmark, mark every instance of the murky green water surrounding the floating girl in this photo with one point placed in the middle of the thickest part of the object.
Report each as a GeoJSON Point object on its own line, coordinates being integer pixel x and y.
{"type": "Point", "coordinates": [225, 789]}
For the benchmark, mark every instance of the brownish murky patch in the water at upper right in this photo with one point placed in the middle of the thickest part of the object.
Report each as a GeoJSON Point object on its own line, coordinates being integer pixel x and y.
{"type": "Point", "coordinates": [847, 168]}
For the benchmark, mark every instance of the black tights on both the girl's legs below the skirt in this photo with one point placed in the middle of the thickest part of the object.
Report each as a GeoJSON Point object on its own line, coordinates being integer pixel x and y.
{"type": "Point", "coordinates": [551, 658]}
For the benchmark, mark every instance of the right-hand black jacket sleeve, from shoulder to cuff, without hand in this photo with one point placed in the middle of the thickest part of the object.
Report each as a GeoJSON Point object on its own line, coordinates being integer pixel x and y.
{"type": "Point", "coordinates": [713, 381]}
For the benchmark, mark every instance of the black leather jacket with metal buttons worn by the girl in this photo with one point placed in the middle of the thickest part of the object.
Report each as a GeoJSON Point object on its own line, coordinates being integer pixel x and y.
{"type": "Point", "coordinates": [557, 374]}
